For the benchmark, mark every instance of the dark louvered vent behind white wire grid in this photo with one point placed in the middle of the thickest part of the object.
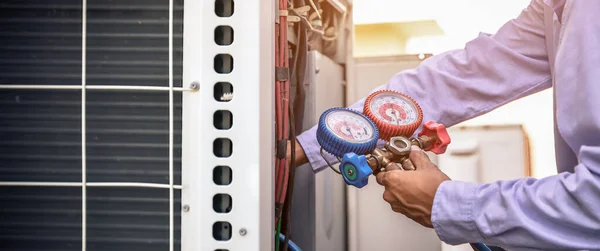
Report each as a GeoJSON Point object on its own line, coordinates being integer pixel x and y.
{"type": "Point", "coordinates": [85, 125]}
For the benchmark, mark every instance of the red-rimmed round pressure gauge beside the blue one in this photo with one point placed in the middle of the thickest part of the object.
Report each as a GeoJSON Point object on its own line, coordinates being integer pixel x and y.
{"type": "Point", "coordinates": [394, 113]}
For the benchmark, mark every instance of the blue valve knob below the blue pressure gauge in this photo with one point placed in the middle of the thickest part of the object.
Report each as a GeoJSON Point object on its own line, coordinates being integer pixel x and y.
{"type": "Point", "coordinates": [355, 169]}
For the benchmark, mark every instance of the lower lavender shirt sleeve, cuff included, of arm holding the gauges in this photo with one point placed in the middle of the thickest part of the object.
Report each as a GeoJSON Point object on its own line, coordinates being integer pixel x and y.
{"type": "Point", "coordinates": [555, 213]}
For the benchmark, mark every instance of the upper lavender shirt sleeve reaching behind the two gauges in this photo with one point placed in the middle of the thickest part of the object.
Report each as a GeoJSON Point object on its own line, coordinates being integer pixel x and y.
{"type": "Point", "coordinates": [490, 71]}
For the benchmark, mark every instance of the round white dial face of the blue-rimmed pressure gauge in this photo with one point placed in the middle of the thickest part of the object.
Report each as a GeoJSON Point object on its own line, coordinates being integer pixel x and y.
{"type": "Point", "coordinates": [349, 126]}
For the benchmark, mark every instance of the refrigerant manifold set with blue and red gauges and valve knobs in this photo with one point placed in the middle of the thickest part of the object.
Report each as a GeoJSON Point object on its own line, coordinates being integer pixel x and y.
{"type": "Point", "coordinates": [391, 116]}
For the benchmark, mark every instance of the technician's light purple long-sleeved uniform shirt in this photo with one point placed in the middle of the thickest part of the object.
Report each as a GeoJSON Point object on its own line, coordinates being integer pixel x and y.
{"type": "Point", "coordinates": [552, 43]}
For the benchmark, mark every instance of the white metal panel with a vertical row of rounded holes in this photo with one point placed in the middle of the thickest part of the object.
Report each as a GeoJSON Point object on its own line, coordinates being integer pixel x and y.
{"type": "Point", "coordinates": [251, 216]}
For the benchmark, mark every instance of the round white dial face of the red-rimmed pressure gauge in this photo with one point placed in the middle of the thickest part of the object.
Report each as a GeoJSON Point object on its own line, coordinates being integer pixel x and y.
{"type": "Point", "coordinates": [394, 109]}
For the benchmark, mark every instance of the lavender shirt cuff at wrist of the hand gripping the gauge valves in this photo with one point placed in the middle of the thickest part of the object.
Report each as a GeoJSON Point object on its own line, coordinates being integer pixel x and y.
{"type": "Point", "coordinates": [453, 213]}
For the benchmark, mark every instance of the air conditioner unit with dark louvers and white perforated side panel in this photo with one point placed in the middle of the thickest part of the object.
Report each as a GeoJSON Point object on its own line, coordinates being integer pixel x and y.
{"type": "Point", "coordinates": [98, 101]}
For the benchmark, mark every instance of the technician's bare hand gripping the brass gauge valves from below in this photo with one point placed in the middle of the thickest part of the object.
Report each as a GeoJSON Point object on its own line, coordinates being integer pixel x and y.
{"type": "Point", "coordinates": [411, 192]}
